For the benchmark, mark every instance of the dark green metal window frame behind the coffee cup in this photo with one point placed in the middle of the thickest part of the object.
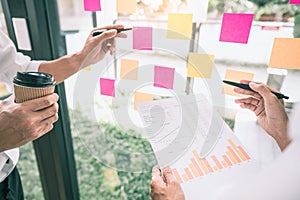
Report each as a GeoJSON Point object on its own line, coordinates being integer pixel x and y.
{"type": "Point", "coordinates": [54, 151]}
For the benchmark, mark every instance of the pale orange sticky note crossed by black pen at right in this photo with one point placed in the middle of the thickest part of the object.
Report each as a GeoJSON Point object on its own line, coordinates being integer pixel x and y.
{"type": "Point", "coordinates": [236, 76]}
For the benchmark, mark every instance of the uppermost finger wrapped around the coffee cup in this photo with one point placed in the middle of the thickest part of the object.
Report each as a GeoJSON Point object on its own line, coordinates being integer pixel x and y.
{"type": "Point", "coordinates": [42, 103]}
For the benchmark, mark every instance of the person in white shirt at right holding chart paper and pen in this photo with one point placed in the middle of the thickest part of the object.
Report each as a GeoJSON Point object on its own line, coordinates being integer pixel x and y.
{"type": "Point", "coordinates": [281, 180]}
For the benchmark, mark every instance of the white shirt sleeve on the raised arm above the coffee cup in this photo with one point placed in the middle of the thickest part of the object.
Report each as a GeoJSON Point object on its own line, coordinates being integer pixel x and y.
{"type": "Point", "coordinates": [12, 61]}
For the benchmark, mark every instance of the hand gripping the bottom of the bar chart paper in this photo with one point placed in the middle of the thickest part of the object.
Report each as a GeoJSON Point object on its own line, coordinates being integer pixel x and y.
{"type": "Point", "coordinates": [166, 187]}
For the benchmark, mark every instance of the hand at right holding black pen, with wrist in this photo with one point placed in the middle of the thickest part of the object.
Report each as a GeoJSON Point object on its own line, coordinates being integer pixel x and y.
{"type": "Point", "coordinates": [269, 110]}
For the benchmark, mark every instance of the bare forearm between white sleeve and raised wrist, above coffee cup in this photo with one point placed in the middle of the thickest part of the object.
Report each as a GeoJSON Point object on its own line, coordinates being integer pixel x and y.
{"type": "Point", "coordinates": [63, 67]}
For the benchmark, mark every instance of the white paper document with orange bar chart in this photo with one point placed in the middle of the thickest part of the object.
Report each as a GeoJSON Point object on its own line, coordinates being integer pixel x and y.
{"type": "Point", "coordinates": [178, 128]}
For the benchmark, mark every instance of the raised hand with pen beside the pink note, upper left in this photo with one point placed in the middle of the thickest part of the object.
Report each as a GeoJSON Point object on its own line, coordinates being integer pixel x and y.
{"type": "Point", "coordinates": [96, 47]}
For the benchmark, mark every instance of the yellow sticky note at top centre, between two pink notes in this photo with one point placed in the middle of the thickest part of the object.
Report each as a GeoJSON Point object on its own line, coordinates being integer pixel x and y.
{"type": "Point", "coordinates": [180, 26]}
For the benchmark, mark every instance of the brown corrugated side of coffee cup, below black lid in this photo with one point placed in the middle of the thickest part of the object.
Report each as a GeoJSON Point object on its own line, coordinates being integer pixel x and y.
{"type": "Point", "coordinates": [23, 93]}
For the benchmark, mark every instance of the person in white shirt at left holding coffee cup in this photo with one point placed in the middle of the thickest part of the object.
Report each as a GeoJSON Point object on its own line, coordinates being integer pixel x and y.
{"type": "Point", "coordinates": [25, 122]}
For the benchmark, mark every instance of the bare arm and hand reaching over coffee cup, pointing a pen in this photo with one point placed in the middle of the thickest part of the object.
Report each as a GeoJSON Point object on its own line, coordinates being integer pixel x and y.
{"type": "Point", "coordinates": [93, 51]}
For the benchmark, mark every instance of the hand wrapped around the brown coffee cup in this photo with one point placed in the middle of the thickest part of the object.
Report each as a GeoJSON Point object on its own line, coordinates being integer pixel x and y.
{"type": "Point", "coordinates": [25, 122]}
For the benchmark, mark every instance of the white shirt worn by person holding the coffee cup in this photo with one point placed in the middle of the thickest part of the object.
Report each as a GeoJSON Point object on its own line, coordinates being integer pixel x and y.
{"type": "Point", "coordinates": [10, 63]}
